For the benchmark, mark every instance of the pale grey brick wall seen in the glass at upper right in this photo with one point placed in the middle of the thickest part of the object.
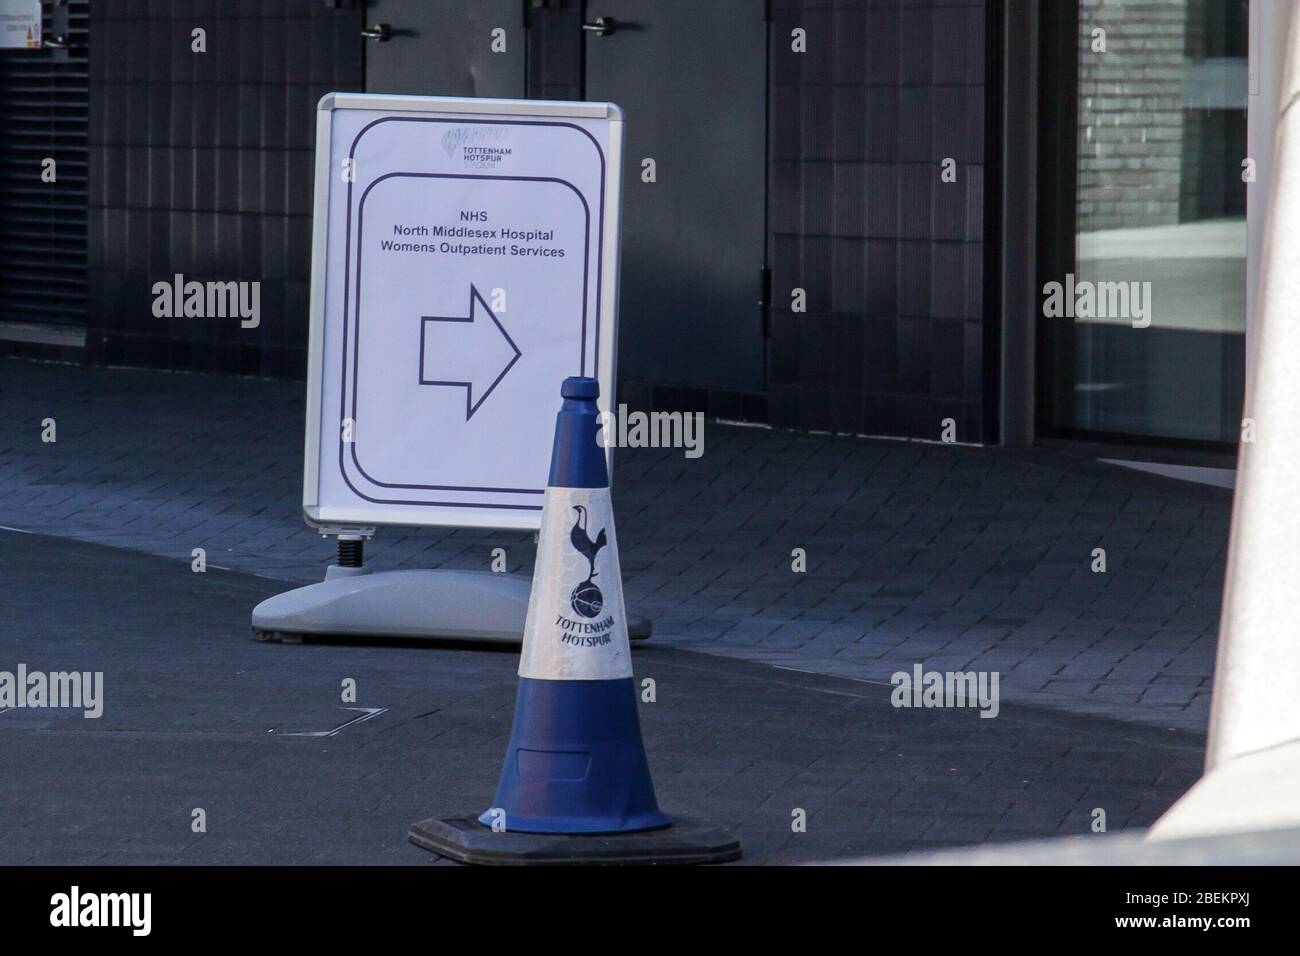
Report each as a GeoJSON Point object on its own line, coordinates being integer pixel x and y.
{"type": "Point", "coordinates": [1132, 114]}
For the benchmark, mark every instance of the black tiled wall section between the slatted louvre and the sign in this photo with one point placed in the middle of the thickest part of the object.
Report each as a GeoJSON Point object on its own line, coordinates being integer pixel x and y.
{"type": "Point", "coordinates": [202, 165]}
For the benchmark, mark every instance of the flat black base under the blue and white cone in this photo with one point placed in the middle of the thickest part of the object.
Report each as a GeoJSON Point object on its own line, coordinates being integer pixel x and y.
{"type": "Point", "coordinates": [470, 842]}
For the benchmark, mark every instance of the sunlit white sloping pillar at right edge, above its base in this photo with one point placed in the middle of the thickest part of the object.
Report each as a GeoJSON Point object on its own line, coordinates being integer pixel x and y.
{"type": "Point", "coordinates": [1256, 700]}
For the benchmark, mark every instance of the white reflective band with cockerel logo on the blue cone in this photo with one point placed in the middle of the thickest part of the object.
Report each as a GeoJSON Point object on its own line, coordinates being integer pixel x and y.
{"type": "Point", "coordinates": [577, 629]}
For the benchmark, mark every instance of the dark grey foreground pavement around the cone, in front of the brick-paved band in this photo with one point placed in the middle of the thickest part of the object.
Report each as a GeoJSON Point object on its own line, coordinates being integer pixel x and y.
{"type": "Point", "coordinates": [200, 717]}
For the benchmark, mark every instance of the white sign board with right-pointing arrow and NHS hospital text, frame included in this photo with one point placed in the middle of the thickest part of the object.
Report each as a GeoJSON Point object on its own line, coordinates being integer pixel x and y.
{"type": "Point", "coordinates": [465, 263]}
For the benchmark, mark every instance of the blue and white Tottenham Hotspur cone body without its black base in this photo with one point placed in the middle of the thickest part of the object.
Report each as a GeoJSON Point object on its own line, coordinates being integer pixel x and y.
{"type": "Point", "coordinates": [575, 763]}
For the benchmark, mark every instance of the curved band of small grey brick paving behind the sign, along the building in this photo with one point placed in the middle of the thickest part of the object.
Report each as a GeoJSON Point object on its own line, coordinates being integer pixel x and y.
{"type": "Point", "coordinates": [952, 557]}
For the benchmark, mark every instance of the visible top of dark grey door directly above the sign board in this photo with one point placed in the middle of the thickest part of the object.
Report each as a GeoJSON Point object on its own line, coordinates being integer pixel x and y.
{"type": "Point", "coordinates": [445, 47]}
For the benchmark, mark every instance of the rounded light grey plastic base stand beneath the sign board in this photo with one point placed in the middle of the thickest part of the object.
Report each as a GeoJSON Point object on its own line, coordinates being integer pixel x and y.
{"type": "Point", "coordinates": [415, 605]}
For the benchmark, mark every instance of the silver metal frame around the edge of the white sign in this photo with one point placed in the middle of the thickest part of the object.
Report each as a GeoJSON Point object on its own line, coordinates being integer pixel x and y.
{"type": "Point", "coordinates": [336, 518]}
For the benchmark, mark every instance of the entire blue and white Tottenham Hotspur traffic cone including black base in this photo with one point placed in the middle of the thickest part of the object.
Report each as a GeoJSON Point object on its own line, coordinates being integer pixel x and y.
{"type": "Point", "coordinates": [575, 786]}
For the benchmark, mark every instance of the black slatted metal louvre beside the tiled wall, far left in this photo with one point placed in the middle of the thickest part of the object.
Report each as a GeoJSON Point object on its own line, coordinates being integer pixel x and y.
{"type": "Point", "coordinates": [44, 113]}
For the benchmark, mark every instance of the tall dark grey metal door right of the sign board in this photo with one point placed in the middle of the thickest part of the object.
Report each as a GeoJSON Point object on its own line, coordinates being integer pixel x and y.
{"type": "Point", "coordinates": [692, 80]}
